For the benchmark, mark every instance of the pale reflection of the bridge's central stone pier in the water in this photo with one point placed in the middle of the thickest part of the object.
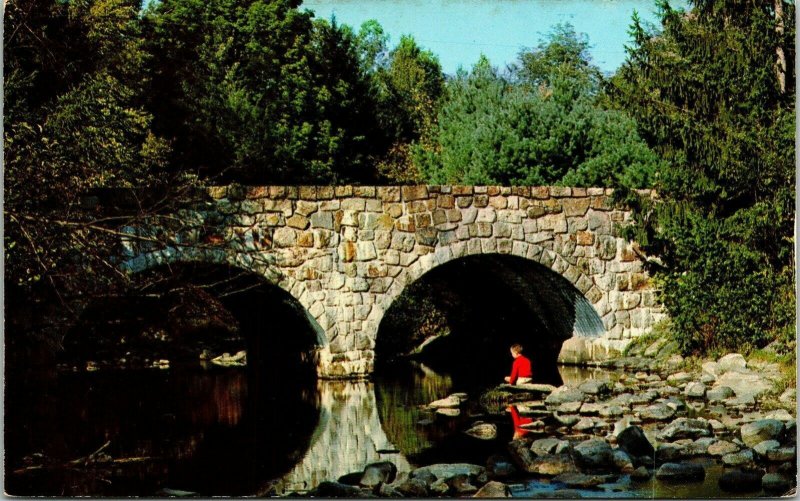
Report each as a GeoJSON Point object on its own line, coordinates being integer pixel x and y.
{"type": "Point", "coordinates": [348, 437]}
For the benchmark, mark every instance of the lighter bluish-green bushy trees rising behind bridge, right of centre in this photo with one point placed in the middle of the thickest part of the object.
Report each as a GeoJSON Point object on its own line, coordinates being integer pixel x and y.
{"type": "Point", "coordinates": [541, 124]}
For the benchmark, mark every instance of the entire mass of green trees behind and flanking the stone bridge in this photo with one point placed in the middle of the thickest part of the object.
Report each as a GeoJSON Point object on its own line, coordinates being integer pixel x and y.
{"type": "Point", "coordinates": [101, 94]}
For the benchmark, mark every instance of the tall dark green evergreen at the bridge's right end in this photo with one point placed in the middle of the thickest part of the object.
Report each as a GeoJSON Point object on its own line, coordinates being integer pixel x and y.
{"type": "Point", "coordinates": [706, 96]}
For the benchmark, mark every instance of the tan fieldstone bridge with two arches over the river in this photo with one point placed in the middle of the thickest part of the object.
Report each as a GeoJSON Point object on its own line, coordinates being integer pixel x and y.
{"type": "Point", "coordinates": [346, 252]}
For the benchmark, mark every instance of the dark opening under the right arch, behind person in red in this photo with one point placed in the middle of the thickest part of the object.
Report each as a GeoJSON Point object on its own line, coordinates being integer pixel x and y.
{"type": "Point", "coordinates": [480, 305]}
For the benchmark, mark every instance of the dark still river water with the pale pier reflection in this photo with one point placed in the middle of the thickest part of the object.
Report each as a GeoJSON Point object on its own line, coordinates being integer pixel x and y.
{"type": "Point", "coordinates": [215, 431]}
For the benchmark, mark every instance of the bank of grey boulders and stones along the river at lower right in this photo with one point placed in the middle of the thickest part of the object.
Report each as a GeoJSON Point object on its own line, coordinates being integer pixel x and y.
{"type": "Point", "coordinates": [657, 422]}
